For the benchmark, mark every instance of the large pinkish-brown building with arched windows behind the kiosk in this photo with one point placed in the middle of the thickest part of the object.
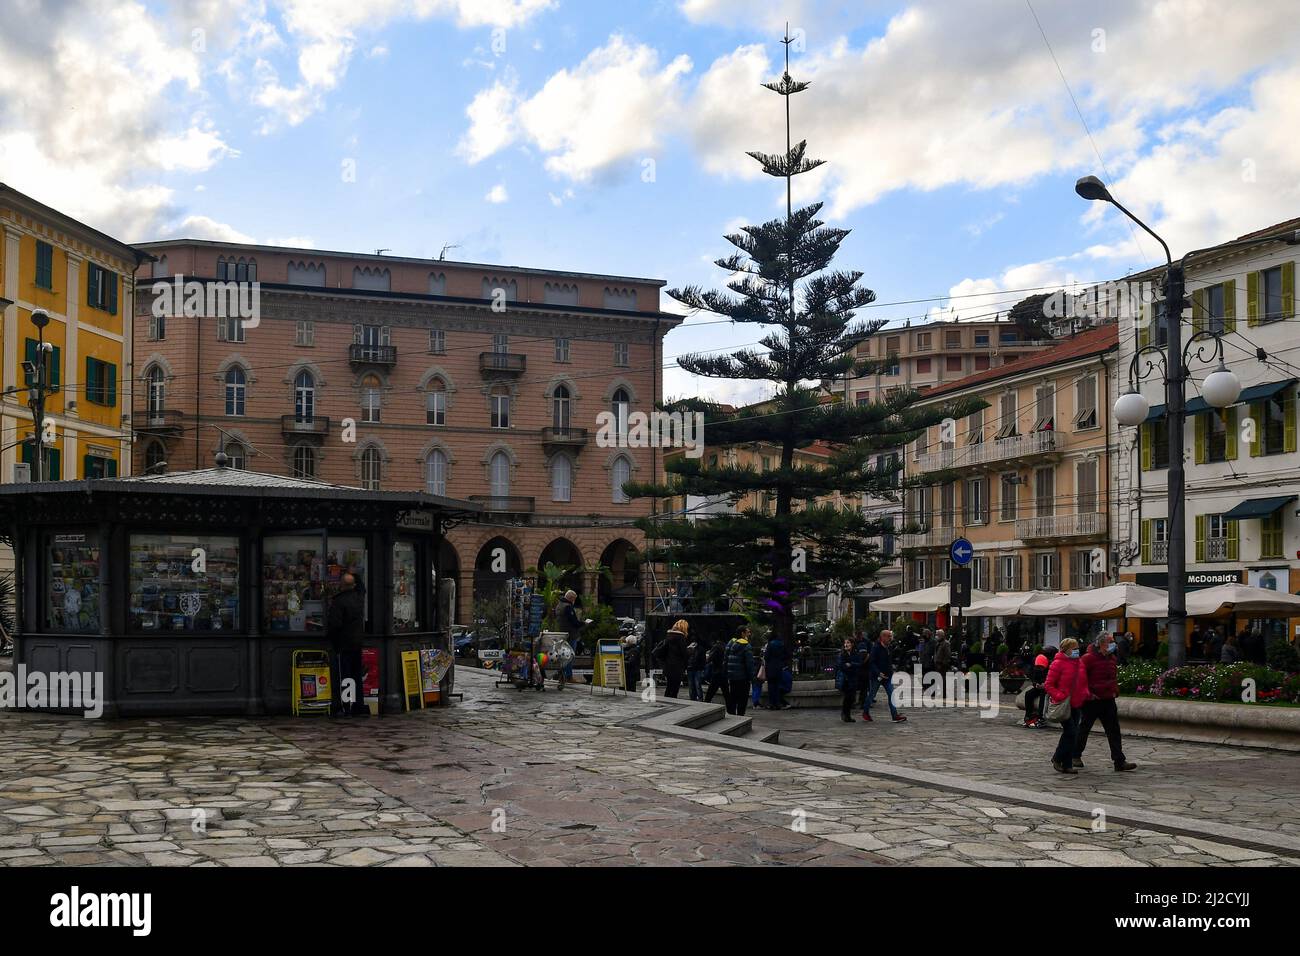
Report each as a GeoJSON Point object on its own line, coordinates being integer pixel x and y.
{"type": "Point", "coordinates": [465, 380]}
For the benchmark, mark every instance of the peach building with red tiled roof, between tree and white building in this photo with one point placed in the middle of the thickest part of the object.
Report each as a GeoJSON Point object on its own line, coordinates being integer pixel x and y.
{"type": "Point", "coordinates": [1035, 473]}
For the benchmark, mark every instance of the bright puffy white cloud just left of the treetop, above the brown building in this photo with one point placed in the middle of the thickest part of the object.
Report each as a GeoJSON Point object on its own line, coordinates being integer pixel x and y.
{"type": "Point", "coordinates": [609, 110]}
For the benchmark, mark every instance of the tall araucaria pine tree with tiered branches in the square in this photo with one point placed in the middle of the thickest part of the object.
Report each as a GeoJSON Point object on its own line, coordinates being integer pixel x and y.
{"type": "Point", "coordinates": [782, 280]}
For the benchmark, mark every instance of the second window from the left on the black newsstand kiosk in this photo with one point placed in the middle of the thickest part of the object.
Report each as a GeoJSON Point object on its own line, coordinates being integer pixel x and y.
{"type": "Point", "coordinates": [184, 583]}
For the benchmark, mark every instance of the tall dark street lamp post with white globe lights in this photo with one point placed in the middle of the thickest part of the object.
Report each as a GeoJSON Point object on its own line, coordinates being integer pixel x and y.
{"type": "Point", "coordinates": [1221, 390]}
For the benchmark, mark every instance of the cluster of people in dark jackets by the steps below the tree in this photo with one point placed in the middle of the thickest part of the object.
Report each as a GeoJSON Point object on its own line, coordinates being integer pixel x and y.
{"type": "Point", "coordinates": [730, 667]}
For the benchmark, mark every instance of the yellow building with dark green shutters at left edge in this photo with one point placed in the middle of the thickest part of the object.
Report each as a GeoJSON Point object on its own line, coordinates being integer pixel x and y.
{"type": "Point", "coordinates": [81, 278]}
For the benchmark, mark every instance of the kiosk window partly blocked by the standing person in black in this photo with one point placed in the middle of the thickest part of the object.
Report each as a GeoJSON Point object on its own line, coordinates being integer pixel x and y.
{"type": "Point", "coordinates": [301, 574]}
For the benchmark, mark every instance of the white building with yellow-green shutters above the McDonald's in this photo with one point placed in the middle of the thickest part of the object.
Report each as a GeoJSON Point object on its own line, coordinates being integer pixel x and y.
{"type": "Point", "coordinates": [1242, 464]}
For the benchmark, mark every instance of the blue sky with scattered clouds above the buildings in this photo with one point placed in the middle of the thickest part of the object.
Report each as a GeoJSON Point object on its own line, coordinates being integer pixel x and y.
{"type": "Point", "coordinates": [612, 137]}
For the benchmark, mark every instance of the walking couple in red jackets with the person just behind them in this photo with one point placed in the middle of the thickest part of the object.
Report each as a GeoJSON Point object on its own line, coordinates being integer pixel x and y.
{"type": "Point", "coordinates": [1084, 686]}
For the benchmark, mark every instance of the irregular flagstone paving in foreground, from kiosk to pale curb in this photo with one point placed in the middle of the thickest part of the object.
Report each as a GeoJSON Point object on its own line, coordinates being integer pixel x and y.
{"type": "Point", "coordinates": [565, 777]}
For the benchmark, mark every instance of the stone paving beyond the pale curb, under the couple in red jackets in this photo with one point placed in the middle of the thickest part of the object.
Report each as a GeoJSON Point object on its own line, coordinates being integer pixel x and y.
{"type": "Point", "coordinates": [1251, 788]}
